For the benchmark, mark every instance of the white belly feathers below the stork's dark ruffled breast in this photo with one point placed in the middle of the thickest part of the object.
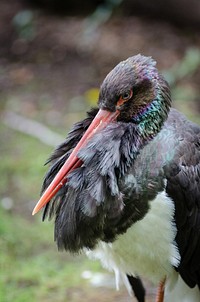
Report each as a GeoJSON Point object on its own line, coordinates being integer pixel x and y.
{"type": "Point", "coordinates": [147, 248]}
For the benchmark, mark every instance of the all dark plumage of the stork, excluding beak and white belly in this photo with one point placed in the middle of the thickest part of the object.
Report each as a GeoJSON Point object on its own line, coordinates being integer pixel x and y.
{"type": "Point", "coordinates": [149, 149]}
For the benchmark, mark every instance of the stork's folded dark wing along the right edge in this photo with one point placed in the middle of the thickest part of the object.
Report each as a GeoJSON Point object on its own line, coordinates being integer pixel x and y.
{"type": "Point", "coordinates": [183, 186]}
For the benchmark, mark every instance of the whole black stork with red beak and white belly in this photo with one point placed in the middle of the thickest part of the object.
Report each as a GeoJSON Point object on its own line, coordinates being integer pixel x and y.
{"type": "Point", "coordinates": [125, 184]}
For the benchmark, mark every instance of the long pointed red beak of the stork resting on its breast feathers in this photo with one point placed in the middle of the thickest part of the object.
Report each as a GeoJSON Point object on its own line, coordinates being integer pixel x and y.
{"type": "Point", "coordinates": [100, 121]}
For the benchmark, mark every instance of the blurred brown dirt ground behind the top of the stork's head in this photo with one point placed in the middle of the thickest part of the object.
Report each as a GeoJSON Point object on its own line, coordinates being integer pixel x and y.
{"type": "Point", "coordinates": [68, 55]}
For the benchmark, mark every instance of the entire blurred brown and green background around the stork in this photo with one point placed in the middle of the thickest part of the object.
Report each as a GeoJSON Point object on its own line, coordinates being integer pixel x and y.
{"type": "Point", "coordinates": [53, 57]}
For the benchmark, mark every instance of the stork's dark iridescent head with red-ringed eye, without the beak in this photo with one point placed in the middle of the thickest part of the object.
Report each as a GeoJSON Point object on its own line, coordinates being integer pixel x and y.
{"type": "Point", "coordinates": [135, 89]}
